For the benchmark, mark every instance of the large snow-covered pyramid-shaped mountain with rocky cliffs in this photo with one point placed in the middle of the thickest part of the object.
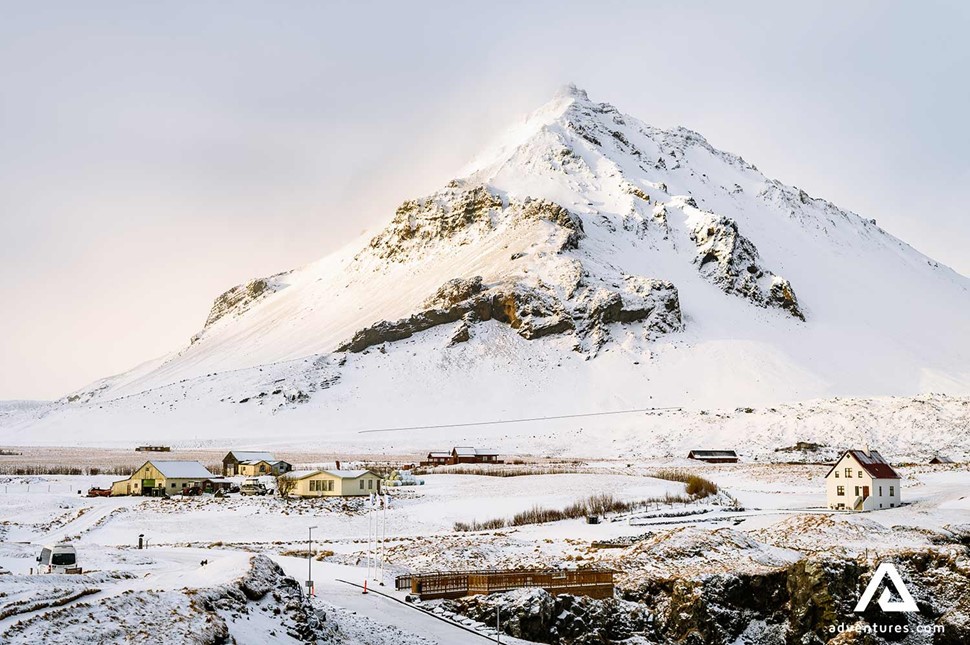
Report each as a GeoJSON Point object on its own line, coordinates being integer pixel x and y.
{"type": "Point", "coordinates": [587, 262]}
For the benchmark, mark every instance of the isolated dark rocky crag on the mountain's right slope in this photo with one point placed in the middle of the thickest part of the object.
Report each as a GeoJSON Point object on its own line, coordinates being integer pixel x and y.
{"type": "Point", "coordinates": [731, 261]}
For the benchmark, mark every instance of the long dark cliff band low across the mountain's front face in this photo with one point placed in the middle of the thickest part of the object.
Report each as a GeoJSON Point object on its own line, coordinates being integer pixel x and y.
{"type": "Point", "coordinates": [534, 312]}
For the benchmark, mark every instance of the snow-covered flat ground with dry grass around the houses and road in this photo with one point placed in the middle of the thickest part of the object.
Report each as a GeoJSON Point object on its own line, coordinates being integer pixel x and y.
{"type": "Point", "coordinates": [780, 519]}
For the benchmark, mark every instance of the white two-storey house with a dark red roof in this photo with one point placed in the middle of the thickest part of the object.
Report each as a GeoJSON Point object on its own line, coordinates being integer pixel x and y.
{"type": "Point", "coordinates": [861, 480]}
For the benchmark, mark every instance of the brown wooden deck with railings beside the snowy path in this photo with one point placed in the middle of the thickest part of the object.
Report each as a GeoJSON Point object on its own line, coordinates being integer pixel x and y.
{"type": "Point", "coordinates": [595, 583]}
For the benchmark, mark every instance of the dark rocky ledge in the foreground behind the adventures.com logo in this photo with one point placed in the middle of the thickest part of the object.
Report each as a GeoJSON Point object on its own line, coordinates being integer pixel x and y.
{"type": "Point", "coordinates": [808, 602]}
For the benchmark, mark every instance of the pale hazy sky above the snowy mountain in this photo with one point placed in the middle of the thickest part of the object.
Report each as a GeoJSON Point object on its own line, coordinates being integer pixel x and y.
{"type": "Point", "coordinates": [153, 155]}
